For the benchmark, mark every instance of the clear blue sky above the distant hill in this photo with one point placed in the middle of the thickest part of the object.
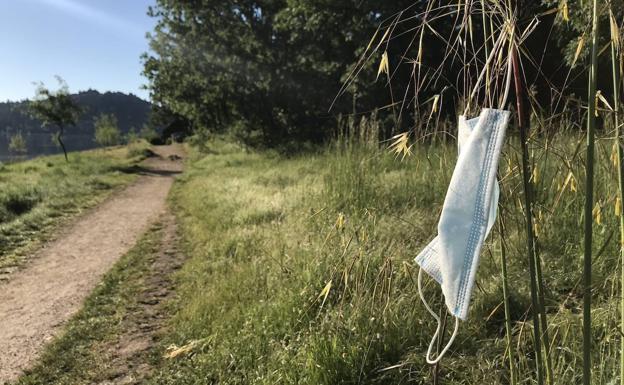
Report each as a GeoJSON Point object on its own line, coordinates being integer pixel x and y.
{"type": "Point", "coordinates": [89, 43]}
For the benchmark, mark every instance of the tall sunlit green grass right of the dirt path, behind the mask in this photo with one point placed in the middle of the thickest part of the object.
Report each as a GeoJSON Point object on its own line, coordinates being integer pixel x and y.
{"type": "Point", "coordinates": [300, 271]}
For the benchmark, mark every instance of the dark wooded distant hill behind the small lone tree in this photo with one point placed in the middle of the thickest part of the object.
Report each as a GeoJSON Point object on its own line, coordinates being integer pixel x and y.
{"type": "Point", "coordinates": [130, 110]}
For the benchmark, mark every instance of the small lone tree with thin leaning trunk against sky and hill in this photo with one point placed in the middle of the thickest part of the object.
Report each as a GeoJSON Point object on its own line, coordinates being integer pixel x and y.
{"type": "Point", "coordinates": [55, 108]}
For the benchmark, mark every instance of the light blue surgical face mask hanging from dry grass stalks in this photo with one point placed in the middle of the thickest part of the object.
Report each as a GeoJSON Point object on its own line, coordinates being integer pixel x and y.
{"type": "Point", "coordinates": [468, 214]}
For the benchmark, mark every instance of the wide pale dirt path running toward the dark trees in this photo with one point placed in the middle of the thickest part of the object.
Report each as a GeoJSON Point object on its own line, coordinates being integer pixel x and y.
{"type": "Point", "coordinates": [36, 301]}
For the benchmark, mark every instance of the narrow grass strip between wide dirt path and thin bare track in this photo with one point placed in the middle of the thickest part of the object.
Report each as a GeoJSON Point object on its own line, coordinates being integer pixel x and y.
{"type": "Point", "coordinates": [82, 355]}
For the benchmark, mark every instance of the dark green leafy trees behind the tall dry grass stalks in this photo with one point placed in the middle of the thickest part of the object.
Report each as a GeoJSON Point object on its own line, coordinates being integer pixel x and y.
{"type": "Point", "coordinates": [267, 71]}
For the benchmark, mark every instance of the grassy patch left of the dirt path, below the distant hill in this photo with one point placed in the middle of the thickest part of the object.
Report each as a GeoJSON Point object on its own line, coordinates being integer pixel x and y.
{"type": "Point", "coordinates": [38, 196]}
